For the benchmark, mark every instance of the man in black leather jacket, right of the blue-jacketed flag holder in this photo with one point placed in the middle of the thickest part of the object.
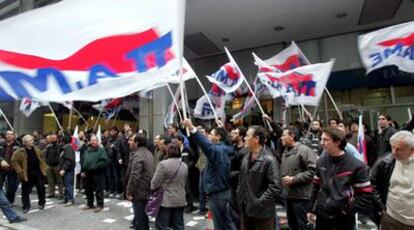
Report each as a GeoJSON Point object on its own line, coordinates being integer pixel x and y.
{"type": "Point", "coordinates": [259, 183]}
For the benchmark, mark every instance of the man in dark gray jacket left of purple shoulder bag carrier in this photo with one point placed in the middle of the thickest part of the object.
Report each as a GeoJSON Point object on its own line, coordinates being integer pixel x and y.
{"type": "Point", "coordinates": [138, 179]}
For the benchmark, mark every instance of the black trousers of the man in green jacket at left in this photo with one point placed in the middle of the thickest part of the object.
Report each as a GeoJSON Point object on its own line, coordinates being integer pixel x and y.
{"type": "Point", "coordinates": [94, 183]}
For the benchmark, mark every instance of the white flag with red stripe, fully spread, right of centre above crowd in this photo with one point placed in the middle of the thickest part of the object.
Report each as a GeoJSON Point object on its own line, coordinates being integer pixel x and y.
{"type": "Point", "coordinates": [303, 85]}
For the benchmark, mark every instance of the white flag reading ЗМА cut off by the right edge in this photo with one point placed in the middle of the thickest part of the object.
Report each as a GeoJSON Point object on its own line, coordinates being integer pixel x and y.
{"type": "Point", "coordinates": [393, 45]}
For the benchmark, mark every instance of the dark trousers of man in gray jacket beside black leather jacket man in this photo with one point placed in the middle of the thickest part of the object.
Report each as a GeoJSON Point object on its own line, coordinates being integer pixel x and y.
{"type": "Point", "coordinates": [296, 210]}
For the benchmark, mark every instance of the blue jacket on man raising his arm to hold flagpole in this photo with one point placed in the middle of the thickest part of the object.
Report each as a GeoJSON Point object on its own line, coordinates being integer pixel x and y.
{"type": "Point", "coordinates": [216, 176]}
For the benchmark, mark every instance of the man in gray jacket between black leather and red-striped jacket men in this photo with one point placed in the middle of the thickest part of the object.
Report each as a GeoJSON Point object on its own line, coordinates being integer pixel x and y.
{"type": "Point", "coordinates": [297, 171]}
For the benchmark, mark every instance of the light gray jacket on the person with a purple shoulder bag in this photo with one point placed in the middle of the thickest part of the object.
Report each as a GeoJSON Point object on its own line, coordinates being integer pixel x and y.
{"type": "Point", "coordinates": [174, 194]}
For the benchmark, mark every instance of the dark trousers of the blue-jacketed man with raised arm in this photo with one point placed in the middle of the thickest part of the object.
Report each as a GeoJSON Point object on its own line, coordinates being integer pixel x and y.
{"type": "Point", "coordinates": [219, 204]}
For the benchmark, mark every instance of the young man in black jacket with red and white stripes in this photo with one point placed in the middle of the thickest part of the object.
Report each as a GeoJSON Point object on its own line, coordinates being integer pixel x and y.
{"type": "Point", "coordinates": [341, 185]}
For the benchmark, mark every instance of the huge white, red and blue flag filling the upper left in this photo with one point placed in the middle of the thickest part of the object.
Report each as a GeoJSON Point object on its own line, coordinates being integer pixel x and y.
{"type": "Point", "coordinates": [89, 50]}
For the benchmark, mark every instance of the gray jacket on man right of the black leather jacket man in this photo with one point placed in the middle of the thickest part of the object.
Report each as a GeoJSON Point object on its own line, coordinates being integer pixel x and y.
{"type": "Point", "coordinates": [299, 162]}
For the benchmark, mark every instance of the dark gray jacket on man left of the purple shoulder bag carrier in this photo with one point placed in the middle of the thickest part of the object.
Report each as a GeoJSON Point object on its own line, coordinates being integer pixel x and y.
{"type": "Point", "coordinates": [139, 173]}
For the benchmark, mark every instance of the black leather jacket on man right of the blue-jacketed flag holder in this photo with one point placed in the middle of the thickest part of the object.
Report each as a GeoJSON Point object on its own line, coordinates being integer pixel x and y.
{"type": "Point", "coordinates": [259, 185]}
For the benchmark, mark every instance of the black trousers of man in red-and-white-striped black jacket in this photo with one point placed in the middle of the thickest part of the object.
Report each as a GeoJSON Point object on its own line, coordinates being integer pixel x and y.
{"type": "Point", "coordinates": [335, 223]}
